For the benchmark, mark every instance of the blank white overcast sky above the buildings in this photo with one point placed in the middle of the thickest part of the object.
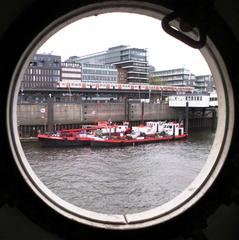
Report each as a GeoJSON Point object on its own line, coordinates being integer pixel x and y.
{"type": "Point", "coordinates": [98, 33]}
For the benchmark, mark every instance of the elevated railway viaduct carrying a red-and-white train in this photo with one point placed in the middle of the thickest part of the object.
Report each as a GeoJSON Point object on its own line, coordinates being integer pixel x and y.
{"type": "Point", "coordinates": [92, 92]}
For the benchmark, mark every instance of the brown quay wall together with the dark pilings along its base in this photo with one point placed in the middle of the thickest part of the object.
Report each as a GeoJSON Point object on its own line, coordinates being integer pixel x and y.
{"type": "Point", "coordinates": [33, 118]}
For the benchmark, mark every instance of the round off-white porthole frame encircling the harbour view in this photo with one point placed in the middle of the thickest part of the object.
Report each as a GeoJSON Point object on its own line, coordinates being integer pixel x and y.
{"type": "Point", "coordinates": [133, 221]}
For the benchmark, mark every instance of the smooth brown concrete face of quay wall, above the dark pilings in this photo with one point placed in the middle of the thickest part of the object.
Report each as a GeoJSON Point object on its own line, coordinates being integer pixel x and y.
{"type": "Point", "coordinates": [73, 113]}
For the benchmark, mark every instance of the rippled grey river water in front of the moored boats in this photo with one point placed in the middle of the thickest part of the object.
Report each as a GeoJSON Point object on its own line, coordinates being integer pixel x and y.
{"type": "Point", "coordinates": [121, 180]}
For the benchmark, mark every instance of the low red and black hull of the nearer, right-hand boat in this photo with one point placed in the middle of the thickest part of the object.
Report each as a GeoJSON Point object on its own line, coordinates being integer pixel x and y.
{"type": "Point", "coordinates": [133, 142]}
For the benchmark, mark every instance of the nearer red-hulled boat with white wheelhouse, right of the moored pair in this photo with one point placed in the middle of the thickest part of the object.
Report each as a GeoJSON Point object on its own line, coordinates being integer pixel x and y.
{"type": "Point", "coordinates": [143, 135]}
